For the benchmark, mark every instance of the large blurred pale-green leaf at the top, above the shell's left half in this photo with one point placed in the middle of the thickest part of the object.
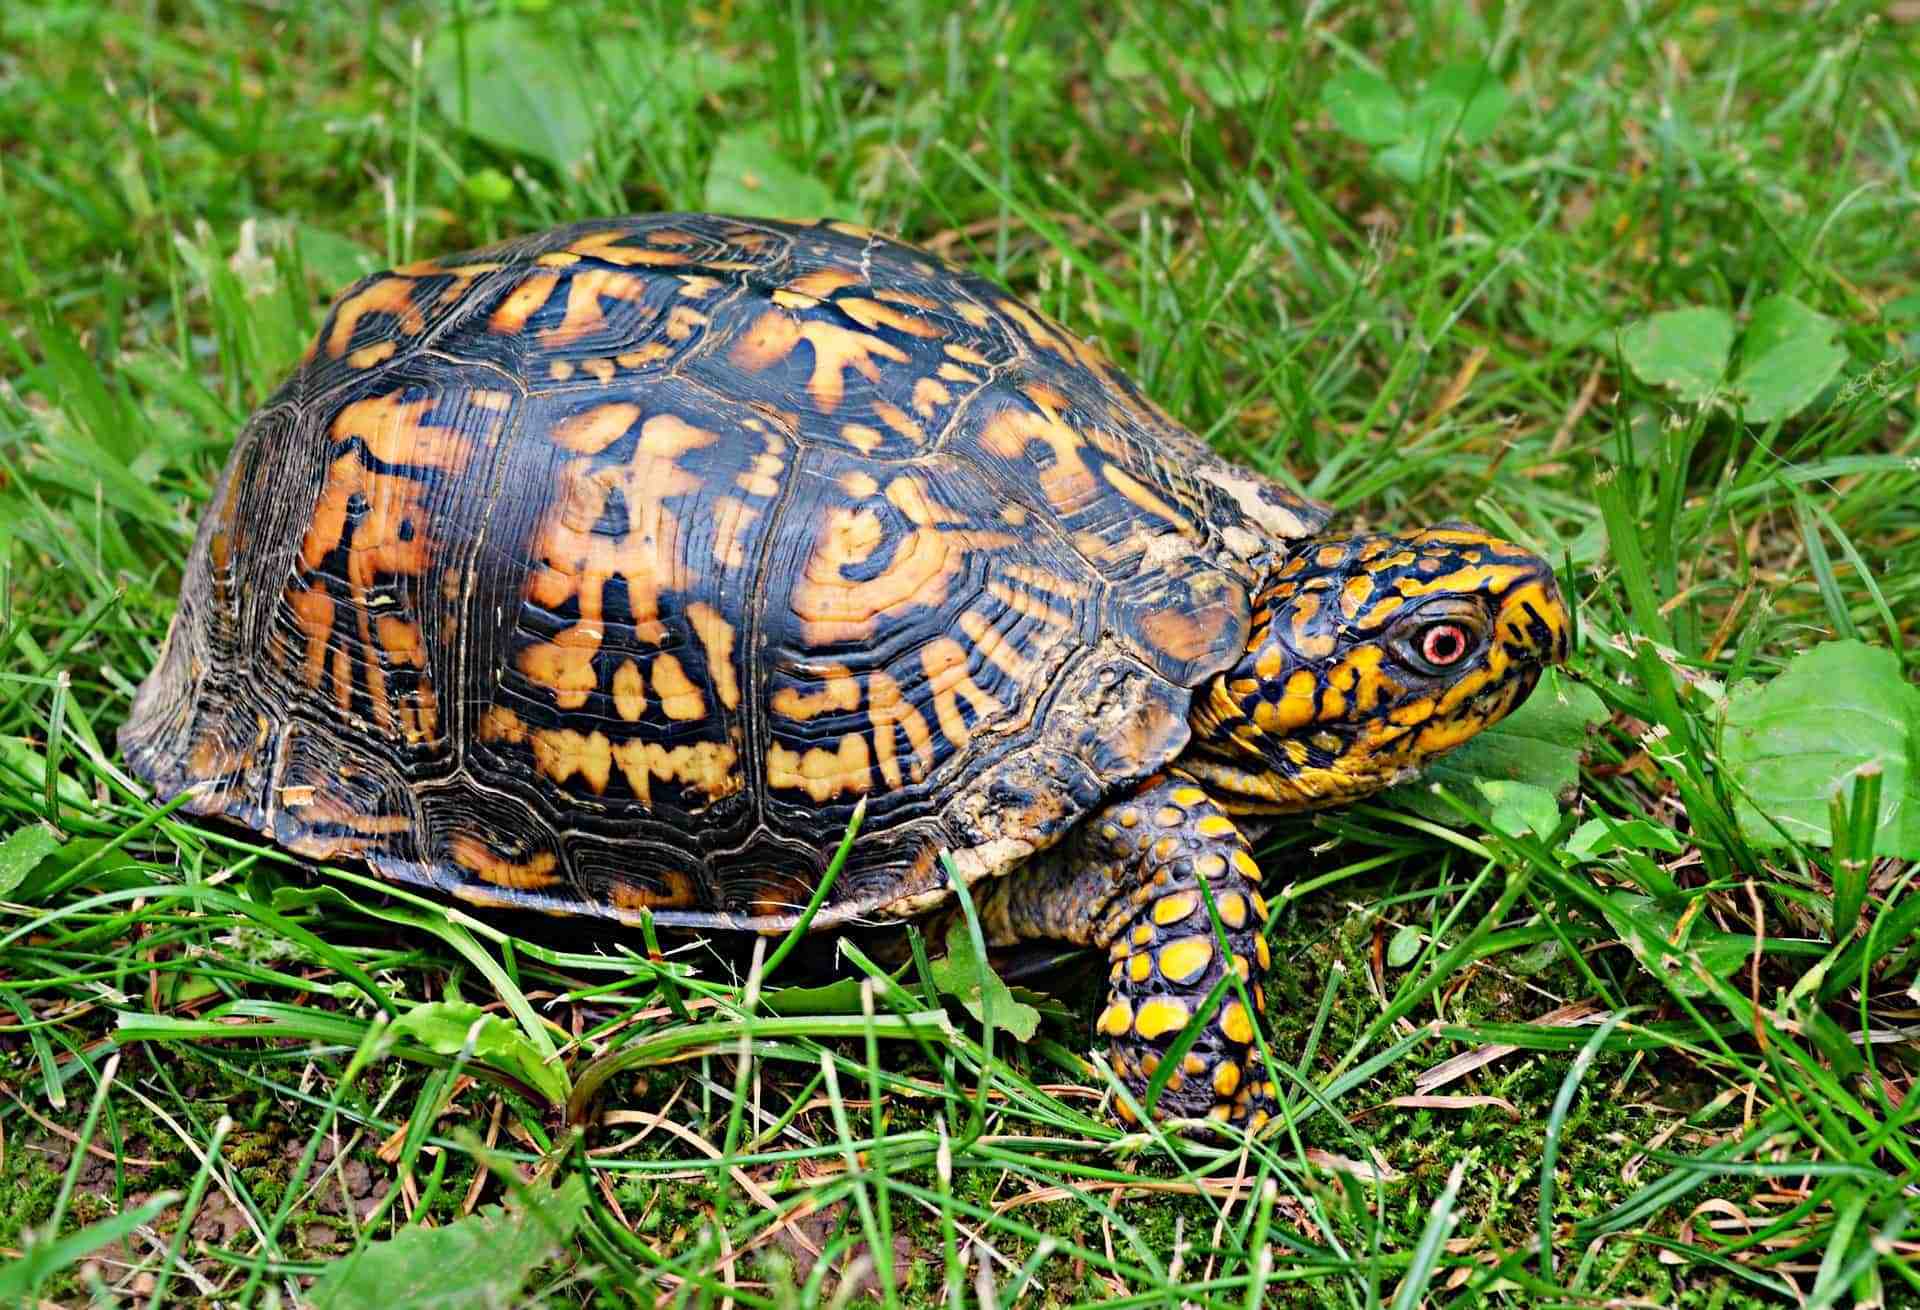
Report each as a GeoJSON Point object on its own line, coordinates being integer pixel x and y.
{"type": "Point", "coordinates": [523, 87]}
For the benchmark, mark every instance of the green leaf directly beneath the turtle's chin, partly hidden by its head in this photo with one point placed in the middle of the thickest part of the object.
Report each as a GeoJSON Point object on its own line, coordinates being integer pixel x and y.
{"type": "Point", "coordinates": [1537, 744]}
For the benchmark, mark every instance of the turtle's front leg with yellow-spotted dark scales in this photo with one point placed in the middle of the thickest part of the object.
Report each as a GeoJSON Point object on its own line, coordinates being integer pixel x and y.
{"type": "Point", "coordinates": [1130, 881]}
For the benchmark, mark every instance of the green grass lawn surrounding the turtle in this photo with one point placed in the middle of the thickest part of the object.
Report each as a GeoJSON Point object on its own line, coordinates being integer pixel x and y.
{"type": "Point", "coordinates": [181, 185]}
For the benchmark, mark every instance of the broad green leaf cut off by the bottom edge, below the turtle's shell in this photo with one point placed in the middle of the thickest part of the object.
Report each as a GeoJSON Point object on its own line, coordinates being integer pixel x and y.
{"type": "Point", "coordinates": [481, 1261]}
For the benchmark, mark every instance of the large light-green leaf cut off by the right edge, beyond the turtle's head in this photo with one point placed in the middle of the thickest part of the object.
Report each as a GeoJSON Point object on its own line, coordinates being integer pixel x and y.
{"type": "Point", "coordinates": [1800, 739]}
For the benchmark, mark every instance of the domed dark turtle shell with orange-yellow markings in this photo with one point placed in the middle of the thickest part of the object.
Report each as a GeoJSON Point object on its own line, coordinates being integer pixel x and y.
{"type": "Point", "coordinates": [610, 570]}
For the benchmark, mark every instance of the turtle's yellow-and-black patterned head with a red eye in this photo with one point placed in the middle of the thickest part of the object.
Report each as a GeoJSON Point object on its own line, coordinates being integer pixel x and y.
{"type": "Point", "coordinates": [1370, 658]}
